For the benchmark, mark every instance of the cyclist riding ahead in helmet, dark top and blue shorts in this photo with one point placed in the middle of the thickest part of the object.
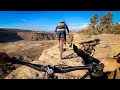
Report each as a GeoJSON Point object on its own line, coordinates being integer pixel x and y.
{"type": "Point", "coordinates": [61, 31]}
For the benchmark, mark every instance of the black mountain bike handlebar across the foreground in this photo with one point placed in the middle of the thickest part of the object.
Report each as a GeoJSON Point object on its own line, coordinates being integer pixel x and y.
{"type": "Point", "coordinates": [97, 69]}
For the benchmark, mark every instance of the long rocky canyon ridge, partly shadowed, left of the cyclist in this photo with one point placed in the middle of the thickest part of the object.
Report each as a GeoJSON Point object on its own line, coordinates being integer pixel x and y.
{"type": "Point", "coordinates": [11, 35]}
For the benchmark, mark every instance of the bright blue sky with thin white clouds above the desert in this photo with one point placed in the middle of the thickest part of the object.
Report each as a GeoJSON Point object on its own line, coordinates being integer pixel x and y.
{"type": "Point", "coordinates": [47, 20]}
